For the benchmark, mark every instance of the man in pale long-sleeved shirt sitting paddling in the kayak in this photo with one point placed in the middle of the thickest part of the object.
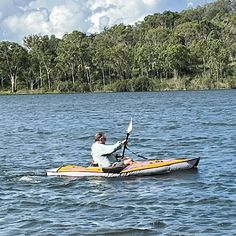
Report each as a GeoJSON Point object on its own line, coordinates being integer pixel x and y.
{"type": "Point", "coordinates": [104, 155]}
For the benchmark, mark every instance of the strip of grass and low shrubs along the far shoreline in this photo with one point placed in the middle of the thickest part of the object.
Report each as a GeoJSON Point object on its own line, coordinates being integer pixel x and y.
{"type": "Point", "coordinates": [139, 85]}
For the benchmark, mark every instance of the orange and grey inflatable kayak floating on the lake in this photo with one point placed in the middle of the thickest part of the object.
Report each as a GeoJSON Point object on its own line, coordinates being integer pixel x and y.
{"type": "Point", "coordinates": [137, 168]}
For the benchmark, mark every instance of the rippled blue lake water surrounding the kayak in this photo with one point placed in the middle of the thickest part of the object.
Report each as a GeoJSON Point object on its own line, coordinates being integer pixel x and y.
{"type": "Point", "coordinates": [40, 132]}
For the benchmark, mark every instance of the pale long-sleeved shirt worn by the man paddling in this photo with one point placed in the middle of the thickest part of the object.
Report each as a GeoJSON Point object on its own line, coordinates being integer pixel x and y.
{"type": "Point", "coordinates": [103, 154]}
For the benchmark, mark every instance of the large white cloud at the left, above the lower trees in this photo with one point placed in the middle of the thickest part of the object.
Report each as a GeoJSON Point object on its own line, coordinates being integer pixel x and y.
{"type": "Point", "coordinates": [41, 17]}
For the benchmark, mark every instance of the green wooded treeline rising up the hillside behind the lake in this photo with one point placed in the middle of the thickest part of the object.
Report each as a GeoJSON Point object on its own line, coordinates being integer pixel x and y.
{"type": "Point", "coordinates": [193, 49]}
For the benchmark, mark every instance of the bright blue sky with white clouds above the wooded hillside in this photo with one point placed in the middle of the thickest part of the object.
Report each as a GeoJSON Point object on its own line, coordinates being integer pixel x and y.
{"type": "Point", "coordinates": [20, 18]}
